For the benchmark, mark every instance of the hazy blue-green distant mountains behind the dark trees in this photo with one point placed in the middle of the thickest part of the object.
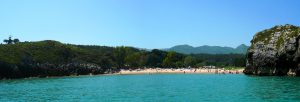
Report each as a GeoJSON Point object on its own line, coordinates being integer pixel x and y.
{"type": "Point", "coordinates": [187, 49]}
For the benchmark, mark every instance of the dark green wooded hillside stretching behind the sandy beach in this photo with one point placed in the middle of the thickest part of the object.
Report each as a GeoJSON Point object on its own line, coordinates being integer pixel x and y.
{"type": "Point", "coordinates": [52, 58]}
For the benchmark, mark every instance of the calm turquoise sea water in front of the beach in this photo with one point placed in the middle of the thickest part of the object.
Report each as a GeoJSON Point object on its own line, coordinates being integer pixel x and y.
{"type": "Point", "coordinates": [152, 88]}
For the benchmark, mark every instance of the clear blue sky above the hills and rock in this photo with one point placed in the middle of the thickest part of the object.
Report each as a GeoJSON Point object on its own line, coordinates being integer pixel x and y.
{"type": "Point", "coordinates": [144, 23]}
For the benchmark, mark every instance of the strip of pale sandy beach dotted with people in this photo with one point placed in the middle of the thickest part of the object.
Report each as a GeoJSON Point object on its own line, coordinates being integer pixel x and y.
{"type": "Point", "coordinates": [184, 71]}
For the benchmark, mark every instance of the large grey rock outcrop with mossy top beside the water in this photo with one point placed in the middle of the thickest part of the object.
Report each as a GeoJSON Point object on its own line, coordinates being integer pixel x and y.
{"type": "Point", "coordinates": [275, 51]}
